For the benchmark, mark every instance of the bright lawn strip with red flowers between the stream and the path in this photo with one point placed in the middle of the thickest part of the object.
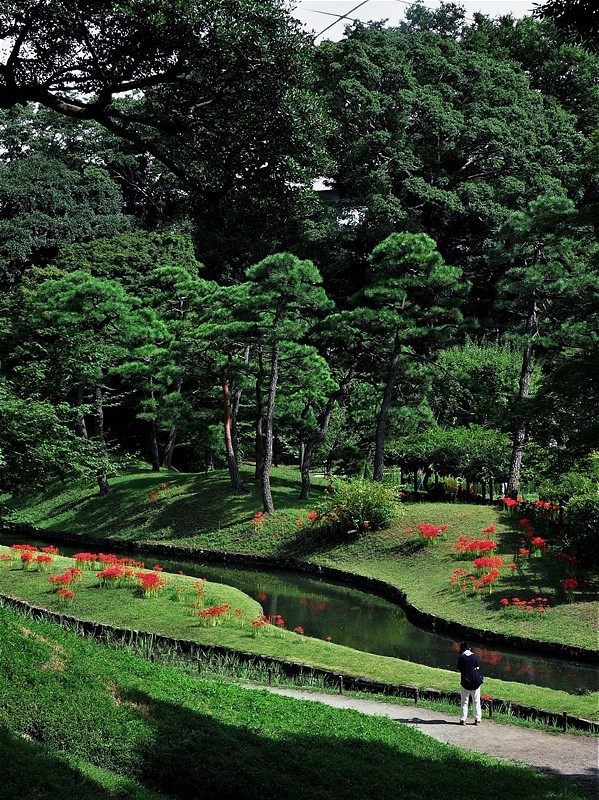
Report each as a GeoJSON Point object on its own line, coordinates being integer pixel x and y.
{"type": "Point", "coordinates": [165, 614]}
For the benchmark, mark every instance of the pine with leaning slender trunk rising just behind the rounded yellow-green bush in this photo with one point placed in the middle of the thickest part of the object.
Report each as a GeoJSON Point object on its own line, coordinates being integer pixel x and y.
{"type": "Point", "coordinates": [411, 296]}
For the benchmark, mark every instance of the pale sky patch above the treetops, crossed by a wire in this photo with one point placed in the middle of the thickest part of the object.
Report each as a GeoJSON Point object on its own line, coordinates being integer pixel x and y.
{"type": "Point", "coordinates": [316, 15]}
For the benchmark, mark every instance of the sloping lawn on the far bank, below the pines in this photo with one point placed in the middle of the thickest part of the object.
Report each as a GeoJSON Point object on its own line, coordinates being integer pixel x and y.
{"type": "Point", "coordinates": [202, 512]}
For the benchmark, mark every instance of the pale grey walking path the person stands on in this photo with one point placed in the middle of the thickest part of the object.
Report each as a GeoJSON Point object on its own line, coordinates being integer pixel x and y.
{"type": "Point", "coordinates": [569, 755]}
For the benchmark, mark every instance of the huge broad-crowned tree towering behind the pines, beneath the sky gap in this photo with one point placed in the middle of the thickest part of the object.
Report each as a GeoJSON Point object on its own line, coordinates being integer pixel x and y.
{"type": "Point", "coordinates": [436, 133]}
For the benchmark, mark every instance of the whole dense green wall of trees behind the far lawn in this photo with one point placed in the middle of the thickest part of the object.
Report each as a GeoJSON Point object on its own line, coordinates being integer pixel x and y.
{"type": "Point", "coordinates": [175, 290]}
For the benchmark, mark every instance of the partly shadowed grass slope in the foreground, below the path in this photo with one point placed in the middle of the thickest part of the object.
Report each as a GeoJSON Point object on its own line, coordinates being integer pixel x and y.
{"type": "Point", "coordinates": [136, 729]}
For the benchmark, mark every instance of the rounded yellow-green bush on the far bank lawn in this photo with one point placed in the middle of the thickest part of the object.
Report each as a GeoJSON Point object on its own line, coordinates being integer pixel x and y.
{"type": "Point", "coordinates": [356, 506]}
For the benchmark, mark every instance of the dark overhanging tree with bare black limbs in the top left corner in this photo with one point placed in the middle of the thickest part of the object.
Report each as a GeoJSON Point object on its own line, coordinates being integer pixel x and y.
{"type": "Point", "coordinates": [214, 89]}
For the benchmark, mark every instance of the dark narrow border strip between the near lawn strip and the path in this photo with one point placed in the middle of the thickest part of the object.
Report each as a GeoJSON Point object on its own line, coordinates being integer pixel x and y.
{"type": "Point", "coordinates": [343, 682]}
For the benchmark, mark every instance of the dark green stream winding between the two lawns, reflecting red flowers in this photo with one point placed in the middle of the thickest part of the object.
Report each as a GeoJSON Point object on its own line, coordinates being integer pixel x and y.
{"type": "Point", "coordinates": [366, 622]}
